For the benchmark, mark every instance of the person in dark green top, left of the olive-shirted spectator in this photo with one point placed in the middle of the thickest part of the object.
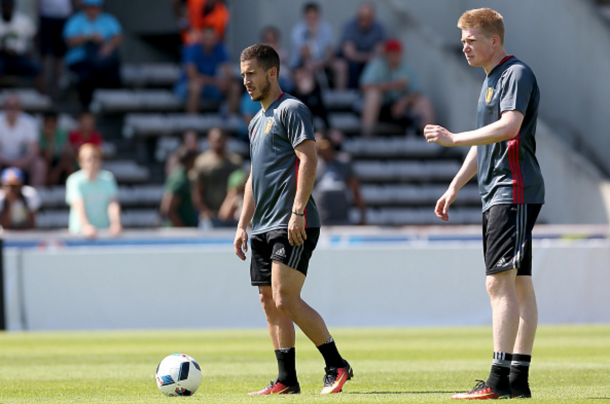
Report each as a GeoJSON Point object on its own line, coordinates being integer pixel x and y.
{"type": "Point", "coordinates": [177, 204]}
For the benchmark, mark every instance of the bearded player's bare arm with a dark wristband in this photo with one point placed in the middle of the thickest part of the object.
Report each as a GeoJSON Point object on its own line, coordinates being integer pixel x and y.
{"type": "Point", "coordinates": [308, 163]}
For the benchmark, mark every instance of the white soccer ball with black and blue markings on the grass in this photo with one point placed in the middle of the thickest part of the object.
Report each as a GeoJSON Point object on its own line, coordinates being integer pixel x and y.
{"type": "Point", "coordinates": [178, 375]}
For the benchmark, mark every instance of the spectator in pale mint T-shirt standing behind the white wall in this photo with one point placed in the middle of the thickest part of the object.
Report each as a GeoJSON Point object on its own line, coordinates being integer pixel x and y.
{"type": "Point", "coordinates": [92, 195]}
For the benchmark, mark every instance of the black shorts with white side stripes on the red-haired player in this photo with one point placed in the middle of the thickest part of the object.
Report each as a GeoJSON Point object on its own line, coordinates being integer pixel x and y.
{"type": "Point", "coordinates": [507, 238]}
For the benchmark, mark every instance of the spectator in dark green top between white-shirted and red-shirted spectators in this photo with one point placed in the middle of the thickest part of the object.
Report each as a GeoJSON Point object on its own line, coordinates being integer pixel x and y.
{"type": "Point", "coordinates": [55, 150]}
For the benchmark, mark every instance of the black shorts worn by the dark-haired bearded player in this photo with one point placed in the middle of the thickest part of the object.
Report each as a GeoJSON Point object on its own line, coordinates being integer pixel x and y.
{"type": "Point", "coordinates": [274, 245]}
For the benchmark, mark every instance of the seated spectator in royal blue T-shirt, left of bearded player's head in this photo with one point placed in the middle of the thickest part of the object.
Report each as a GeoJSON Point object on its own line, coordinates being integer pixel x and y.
{"type": "Point", "coordinates": [207, 74]}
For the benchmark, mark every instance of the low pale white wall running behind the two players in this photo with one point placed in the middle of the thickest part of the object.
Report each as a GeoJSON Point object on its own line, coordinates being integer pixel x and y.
{"type": "Point", "coordinates": [375, 284]}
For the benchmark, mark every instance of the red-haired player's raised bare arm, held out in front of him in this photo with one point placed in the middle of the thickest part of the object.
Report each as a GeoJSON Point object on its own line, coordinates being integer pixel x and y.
{"type": "Point", "coordinates": [507, 127]}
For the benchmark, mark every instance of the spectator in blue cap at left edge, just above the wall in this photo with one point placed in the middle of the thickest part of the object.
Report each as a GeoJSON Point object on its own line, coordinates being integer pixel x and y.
{"type": "Point", "coordinates": [19, 203]}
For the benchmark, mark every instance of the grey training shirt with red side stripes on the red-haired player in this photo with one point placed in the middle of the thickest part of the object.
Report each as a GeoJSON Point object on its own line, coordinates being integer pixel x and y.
{"type": "Point", "coordinates": [508, 171]}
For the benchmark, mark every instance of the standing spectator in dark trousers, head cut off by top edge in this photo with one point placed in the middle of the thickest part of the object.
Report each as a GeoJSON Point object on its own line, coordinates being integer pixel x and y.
{"type": "Point", "coordinates": [53, 15]}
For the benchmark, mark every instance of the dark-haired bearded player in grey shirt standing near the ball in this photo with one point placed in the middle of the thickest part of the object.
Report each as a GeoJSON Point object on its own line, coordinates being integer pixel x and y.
{"type": "Point", "coordinates": [285, 221]}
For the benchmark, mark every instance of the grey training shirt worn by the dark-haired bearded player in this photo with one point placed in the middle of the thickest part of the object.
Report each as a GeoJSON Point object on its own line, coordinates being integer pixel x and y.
{"type": "Point", "coordinates": [274, 134]}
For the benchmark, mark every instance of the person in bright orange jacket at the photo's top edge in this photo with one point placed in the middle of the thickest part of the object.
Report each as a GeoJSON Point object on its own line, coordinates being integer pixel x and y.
{"type": "Point", "coordinates": [196, 15]}
